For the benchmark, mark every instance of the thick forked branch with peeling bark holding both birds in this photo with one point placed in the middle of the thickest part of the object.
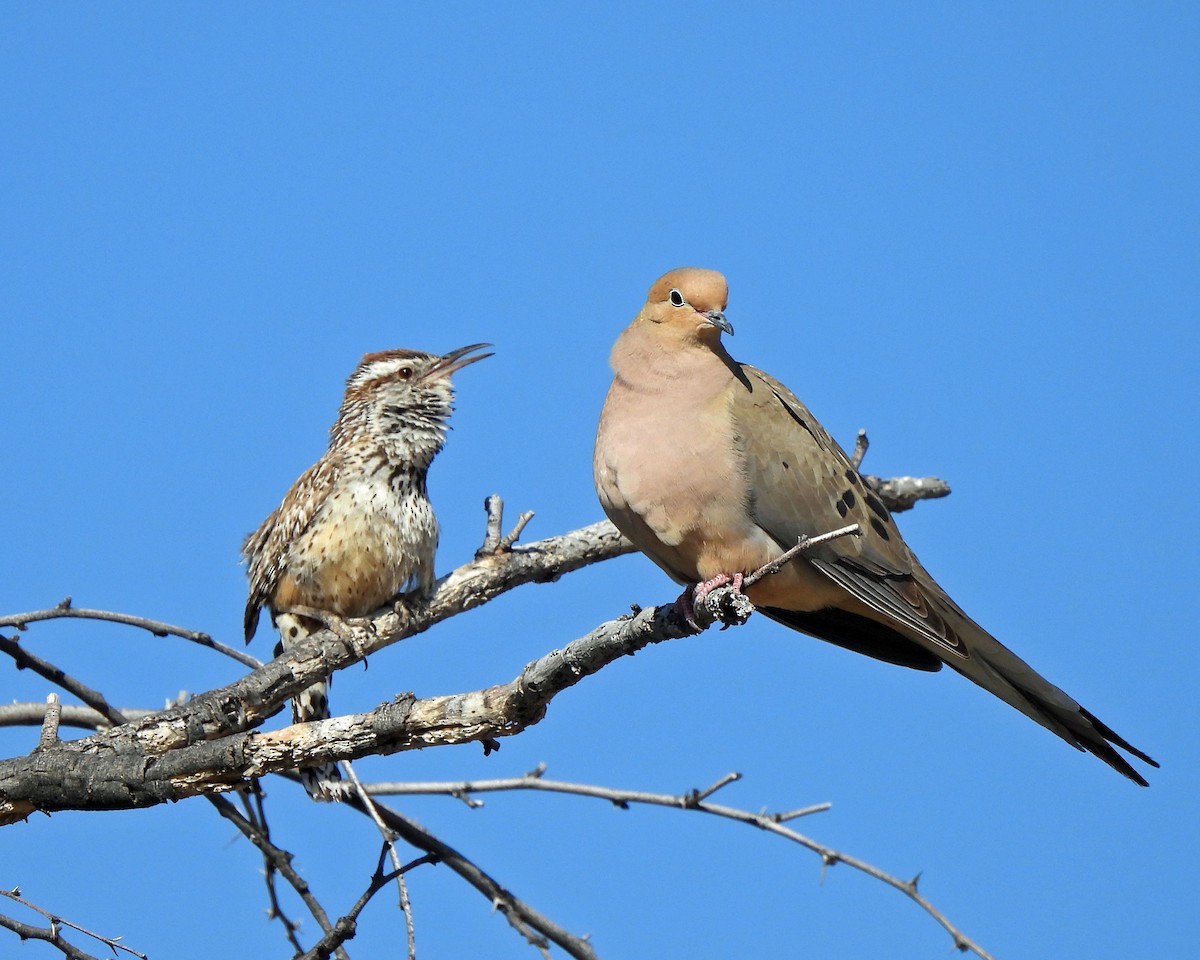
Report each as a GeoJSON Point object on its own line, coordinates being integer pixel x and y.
{"type": "Point", "coordinates": [203, 746]}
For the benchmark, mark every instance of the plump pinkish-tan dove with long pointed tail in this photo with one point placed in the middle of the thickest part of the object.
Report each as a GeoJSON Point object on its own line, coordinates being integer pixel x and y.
{"type": "Point", "coordinates": [713, 469]}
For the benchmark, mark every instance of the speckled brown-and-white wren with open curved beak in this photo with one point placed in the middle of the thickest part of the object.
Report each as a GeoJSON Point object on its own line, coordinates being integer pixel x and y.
{"type": "Point", "coordinates": [357, 529]}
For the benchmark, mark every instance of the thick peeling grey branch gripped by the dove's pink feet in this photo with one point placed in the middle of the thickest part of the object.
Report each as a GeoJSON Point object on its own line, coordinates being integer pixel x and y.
{"type": "Point", "coordinates": [122, 778]}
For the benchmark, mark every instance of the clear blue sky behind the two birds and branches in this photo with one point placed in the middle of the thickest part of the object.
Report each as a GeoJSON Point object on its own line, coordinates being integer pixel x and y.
{"type": "Point", "coordinates": [971, 230]}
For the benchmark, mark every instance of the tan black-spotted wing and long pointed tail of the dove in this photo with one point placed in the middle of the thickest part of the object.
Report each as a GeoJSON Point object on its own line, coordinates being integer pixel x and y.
{"type": "Point", "coordinates": [803, 483]}
